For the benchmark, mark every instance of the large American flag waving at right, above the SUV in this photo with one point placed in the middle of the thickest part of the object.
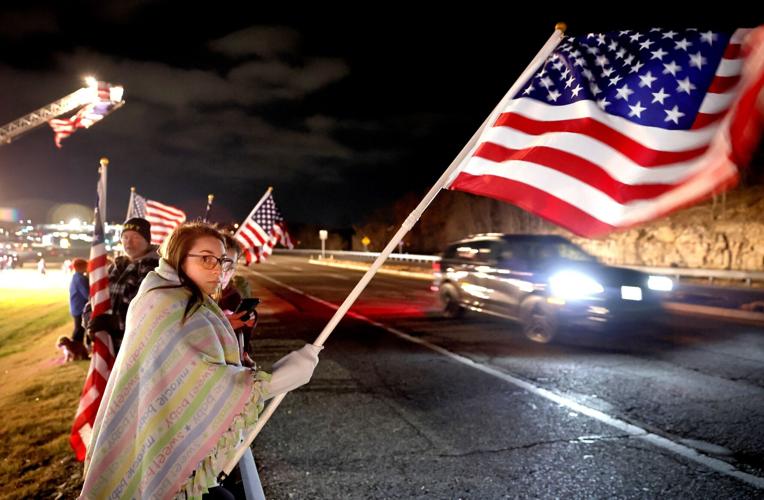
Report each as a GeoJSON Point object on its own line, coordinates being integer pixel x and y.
{"type": "Point", "coordinates": [619, 128]}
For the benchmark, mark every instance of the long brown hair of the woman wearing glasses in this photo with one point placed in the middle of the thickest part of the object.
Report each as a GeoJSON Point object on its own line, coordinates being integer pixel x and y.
{"type": "Point", "coordinates": [175, 251]}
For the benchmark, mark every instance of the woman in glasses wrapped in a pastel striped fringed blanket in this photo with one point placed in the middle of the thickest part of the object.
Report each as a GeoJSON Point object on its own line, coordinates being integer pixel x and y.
{"type": "Point", "coordinates": [178, 398]}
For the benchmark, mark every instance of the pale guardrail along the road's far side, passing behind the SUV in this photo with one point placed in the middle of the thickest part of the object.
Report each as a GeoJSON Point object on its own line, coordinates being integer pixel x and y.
{"type": "Point", "coordinates": [747, 277]}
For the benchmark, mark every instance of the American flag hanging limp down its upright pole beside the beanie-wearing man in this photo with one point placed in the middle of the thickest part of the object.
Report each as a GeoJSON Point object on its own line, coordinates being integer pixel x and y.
{"type": "Point", "coordinates": [103, 356]}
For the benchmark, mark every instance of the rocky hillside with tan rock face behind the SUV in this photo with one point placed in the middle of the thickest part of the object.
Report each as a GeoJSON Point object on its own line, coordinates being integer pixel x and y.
{"type": "Point", "coordinates": [724, 233]}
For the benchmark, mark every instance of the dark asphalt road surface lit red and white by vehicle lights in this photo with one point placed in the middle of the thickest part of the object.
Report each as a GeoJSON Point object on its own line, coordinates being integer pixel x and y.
{"type": "Point", "coordinates": [415, 405]}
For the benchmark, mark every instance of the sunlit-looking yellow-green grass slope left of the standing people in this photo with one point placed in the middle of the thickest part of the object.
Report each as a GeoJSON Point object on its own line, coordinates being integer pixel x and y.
{"type": "Point", "coordinates": [38, 396]}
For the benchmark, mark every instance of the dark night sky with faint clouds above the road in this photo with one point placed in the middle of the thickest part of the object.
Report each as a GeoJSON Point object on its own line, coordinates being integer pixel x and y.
{"type": "Point", "coordinates": [341, 112]}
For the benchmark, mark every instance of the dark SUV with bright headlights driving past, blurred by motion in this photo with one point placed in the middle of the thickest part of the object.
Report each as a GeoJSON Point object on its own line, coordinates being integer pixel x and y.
{"type": "Point", "coordinates": [545, 282]}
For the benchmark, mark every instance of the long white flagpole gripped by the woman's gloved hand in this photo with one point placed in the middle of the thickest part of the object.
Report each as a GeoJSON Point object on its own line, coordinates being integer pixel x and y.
{"type": "Point", "coordinates": [413, 217]}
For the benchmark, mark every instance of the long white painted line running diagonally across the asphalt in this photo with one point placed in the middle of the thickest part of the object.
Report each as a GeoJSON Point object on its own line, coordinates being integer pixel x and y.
{"type": "Point", "coordinates": [633, 430]}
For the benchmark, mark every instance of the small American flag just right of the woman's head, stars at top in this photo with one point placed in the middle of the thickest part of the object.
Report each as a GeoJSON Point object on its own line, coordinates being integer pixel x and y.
{"type": "Point", "coordinates": [262, 230]}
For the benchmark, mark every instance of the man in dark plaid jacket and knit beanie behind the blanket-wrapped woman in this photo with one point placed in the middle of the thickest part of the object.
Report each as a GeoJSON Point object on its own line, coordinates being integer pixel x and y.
{"type": "Point", "coordinates": [125, 277]}
